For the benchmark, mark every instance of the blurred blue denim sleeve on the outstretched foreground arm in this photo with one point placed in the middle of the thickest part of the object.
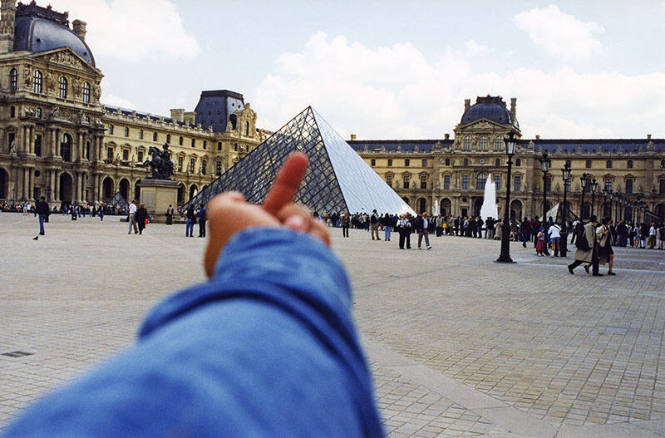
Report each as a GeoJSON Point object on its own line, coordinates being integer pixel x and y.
{"type": "Point", "coordinates": [266, 348]}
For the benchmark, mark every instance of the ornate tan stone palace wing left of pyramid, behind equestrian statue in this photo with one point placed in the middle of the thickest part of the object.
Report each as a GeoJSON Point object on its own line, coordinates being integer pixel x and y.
{"type": "Point", "coordinates": [59, 141]}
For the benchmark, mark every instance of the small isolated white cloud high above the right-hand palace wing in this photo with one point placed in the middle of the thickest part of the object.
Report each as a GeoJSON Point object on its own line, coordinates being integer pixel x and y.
{"type": "Point", "coordinates": [560, 34]}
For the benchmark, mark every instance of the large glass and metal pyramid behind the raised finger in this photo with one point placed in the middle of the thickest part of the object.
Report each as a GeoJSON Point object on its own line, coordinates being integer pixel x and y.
{"type": "Point", "coordinates": [337, 179]}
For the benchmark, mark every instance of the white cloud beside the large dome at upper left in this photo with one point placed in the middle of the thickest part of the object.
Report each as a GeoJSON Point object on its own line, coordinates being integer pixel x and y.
{"type": "Point", "coordinates": [132, 30]}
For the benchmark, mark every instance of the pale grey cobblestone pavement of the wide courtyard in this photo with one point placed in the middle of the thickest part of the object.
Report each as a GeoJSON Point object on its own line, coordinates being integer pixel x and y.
{"type": "Point", "coordinates": [459, 345]}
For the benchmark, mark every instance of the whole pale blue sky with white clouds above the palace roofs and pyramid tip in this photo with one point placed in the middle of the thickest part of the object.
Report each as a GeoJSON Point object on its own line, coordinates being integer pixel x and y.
{"type": "Point", "coordinates": [390, 69]}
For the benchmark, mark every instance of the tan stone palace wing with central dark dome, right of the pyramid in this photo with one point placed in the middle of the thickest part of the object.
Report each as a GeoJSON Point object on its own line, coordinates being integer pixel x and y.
{"type": "Point", "coordinates": [448, 175]}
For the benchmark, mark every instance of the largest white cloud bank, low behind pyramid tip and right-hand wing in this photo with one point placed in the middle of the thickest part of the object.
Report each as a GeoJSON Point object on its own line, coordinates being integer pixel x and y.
{"type": "Point", "coordinates": [395, 92]}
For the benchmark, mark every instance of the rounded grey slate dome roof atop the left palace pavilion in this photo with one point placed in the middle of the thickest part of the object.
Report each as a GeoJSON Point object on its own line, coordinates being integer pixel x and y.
{"type": "Point", "coordinates": [36, 34]}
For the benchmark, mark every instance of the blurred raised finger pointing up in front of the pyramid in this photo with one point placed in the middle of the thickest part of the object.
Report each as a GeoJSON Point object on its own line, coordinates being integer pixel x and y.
{"type": "Point", "coordinates": [286, 184]}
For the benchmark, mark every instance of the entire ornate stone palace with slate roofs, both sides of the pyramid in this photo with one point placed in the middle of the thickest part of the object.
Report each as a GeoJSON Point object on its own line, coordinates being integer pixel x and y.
{"type": "Point", "coordinates": [59, 141]}
